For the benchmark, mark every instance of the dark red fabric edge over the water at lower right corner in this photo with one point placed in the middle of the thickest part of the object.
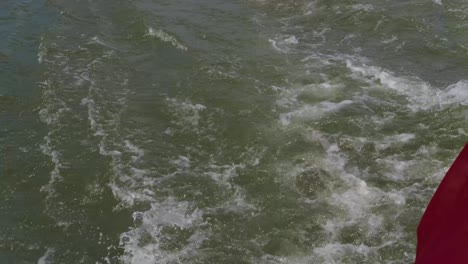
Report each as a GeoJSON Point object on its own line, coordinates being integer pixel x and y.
{"type": "Point", "coordinates": [443, 229]}
